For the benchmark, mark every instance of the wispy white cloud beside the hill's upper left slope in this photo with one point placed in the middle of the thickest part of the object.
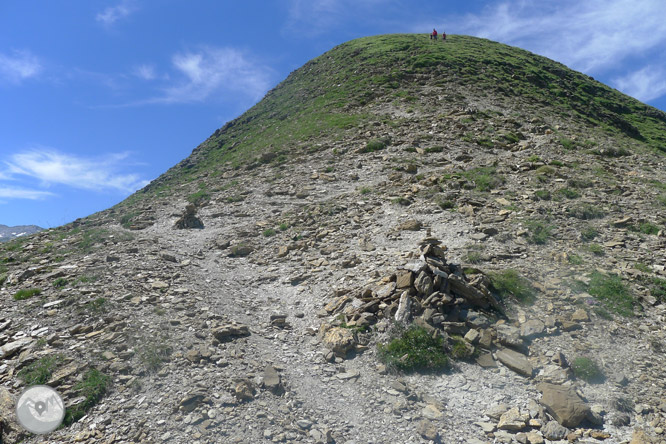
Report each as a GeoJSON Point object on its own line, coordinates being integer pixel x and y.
{"type": "Point", "coordinates": [210, 71]}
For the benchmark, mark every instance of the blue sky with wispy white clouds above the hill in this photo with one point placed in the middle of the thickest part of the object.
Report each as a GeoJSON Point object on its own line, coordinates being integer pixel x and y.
{"type": "Point", "coordinates": [98, 97]}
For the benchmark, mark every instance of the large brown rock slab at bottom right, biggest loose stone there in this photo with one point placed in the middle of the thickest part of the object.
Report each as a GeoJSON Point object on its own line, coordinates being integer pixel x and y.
{"type": "Point", "coordinates": [563, 404]}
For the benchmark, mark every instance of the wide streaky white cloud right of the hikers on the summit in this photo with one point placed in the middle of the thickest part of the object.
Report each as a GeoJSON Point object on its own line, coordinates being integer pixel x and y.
{"type": "Point", "coordinates": [591, 36]}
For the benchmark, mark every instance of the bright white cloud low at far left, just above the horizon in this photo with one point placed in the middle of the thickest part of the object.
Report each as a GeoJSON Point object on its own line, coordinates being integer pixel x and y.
{"type": "Point", "coordinates": [51, 167]}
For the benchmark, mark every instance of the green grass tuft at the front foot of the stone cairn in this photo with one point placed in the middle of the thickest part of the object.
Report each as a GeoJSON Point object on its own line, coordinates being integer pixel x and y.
{"type": "Point", "coordinates": [414, 350]}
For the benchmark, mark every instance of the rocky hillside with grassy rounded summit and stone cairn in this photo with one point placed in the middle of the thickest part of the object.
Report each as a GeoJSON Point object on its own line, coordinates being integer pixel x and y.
{"type": "Point", "coordinates": [510, 207]}
